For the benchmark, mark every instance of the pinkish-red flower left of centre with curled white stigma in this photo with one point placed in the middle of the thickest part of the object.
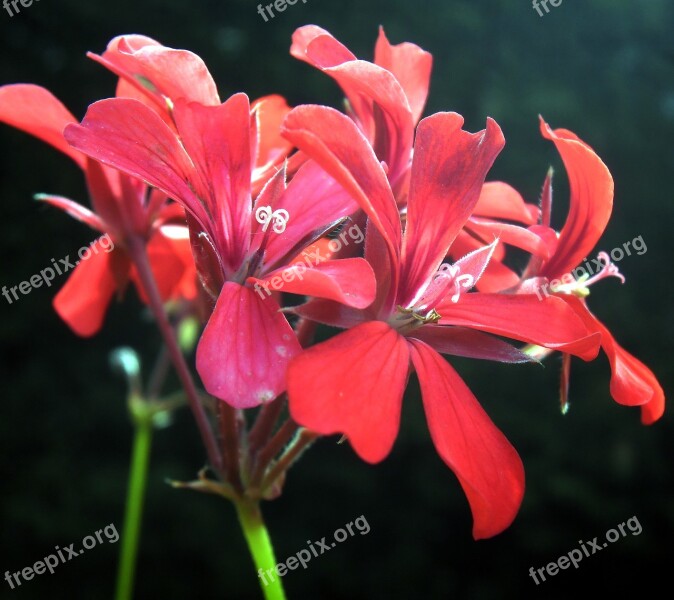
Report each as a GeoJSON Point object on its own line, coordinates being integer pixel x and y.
{"type": "Point", "coordinates": [206, 164]}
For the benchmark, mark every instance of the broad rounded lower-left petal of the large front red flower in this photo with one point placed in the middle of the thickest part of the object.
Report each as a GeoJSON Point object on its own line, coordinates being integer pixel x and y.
{"type": "Point", "coordinates": [353, 384]}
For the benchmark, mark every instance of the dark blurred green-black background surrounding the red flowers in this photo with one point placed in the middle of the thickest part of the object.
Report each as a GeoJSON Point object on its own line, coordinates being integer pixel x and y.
{"type": "Point", "coordinates": [603, 69]}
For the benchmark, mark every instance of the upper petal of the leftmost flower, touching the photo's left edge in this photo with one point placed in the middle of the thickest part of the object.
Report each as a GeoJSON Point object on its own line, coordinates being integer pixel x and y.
{"type": "Point", "coordinates": [36, 111]}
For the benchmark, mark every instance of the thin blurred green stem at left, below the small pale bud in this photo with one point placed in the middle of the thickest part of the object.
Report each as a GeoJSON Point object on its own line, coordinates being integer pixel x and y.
{"type": "Point", "coordinates": [140, 459]}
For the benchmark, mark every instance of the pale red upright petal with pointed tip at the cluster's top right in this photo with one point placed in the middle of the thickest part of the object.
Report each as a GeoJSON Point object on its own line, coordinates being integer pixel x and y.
{"type": "Point", "coordinates": [410, 65]}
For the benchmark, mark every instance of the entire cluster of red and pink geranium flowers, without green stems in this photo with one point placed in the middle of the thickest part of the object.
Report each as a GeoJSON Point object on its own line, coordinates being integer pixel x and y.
{"type": "Point", "coordinates": [227, 197]}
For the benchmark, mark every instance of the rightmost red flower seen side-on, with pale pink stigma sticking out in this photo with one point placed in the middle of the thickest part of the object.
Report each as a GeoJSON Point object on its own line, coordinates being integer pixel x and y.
{"type": "Point", "coordinates": [590, 206]}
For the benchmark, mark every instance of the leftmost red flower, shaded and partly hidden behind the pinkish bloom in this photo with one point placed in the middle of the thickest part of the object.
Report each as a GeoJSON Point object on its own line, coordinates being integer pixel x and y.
{"type": "Point", "coordinates": [123, 207]}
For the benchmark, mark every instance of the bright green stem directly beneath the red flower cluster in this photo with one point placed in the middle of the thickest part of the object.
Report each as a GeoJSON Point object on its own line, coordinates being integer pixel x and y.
{"type": "Point", "coordinates": [259, 544]}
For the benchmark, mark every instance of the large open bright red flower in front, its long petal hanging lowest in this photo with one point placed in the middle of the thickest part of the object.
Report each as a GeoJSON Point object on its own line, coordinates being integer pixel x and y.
{"type": "Point", "coordinates": [354, 383]}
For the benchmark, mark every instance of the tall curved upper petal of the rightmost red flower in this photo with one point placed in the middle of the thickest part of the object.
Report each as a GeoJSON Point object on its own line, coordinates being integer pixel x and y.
{"type": "Point", "coordinates": [590, 205]}
